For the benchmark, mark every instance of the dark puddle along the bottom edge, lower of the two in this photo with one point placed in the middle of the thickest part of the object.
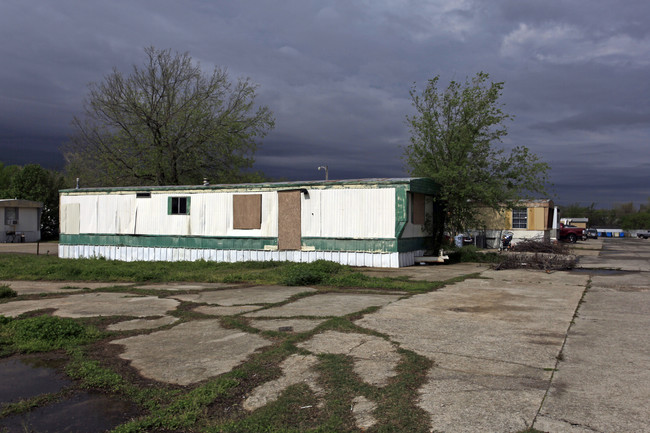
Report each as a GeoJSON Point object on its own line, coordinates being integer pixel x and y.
{"type": "Point", "coordinates": [82, 413]}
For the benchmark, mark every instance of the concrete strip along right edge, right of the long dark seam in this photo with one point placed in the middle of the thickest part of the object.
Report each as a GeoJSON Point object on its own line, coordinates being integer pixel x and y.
{"type": "Point", "coordinates": [603, 381]}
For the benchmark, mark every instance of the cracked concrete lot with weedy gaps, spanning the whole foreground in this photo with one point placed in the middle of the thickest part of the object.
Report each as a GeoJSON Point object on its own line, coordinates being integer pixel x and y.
{"type": "Point", "coordinates": [510, 350]}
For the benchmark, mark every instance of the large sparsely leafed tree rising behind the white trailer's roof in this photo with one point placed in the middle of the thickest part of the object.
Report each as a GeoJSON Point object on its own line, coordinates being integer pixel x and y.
{"type": "Point", "coordinates": [166, 123]}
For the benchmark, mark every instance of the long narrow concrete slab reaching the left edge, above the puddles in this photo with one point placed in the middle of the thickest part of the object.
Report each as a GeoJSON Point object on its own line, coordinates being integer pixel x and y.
{"type": "Point", "coordinates": [94, 304]}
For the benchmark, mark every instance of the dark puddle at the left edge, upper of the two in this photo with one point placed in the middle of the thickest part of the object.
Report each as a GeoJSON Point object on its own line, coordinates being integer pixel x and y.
{"type": "Point", "coordinates": [23, 378]}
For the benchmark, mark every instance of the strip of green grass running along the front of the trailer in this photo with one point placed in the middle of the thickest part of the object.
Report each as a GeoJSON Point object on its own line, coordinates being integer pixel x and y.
{"type": "Point", "coordinates": [25, 267]}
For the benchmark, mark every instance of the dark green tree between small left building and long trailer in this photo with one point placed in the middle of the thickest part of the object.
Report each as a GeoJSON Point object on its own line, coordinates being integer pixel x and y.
{"type": "Point", "coordinates": [33, 182]}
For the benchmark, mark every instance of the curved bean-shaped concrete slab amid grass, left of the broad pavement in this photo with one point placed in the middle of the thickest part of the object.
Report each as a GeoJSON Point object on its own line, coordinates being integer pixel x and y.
{"type": "Point", "coordinates": [374, 358]}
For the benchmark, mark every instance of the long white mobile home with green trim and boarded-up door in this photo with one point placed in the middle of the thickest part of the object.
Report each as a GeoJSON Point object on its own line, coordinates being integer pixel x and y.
{"type": "Point", "coordinates": [365, 222]}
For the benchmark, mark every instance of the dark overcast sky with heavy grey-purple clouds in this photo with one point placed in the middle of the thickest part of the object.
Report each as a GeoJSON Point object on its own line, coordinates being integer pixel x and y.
{"type": "Point", "coordinates": [337, 76]}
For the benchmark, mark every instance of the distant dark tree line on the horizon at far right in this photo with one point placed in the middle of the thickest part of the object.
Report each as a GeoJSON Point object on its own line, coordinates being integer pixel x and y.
{"type": "Point", "coordinates": [625, 216]}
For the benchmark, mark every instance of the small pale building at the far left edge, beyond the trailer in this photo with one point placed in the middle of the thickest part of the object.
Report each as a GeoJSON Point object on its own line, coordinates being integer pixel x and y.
{"type": "Point", "coordinates": [21, 220]}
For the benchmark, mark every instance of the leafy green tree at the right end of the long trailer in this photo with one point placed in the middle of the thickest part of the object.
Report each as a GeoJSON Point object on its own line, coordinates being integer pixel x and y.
{"type": "Point", "coordinates": [453, 141]}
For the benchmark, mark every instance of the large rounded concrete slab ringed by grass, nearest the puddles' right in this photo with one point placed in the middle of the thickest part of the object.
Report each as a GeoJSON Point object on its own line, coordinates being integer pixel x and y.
{"type": "Point", "coordinates": [190, 352]}
